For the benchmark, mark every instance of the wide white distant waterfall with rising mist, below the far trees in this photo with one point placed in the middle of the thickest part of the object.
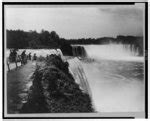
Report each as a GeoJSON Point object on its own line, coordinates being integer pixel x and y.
{"type": "Point", "coordinates": [124, 52]}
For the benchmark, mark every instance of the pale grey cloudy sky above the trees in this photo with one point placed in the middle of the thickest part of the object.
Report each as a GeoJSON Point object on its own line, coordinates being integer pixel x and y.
{"type": "Point", "coordinates": [78, 21]}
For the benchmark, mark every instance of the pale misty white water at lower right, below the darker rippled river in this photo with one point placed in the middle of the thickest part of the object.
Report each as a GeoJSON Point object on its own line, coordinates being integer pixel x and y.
{"type": "Point", "coordinates": [113, 92]}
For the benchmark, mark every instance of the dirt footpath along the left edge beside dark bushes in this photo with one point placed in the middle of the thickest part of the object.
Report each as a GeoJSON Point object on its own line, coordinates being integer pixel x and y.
{"type": "Point", "coordinates": [18, 83]}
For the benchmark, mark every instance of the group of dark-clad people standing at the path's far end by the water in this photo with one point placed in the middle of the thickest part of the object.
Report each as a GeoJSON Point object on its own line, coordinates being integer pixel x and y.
{"type": "Point", "coordinates": [23, 57]}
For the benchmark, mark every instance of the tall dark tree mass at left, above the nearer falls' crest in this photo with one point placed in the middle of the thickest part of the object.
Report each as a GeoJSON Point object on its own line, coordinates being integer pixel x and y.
{"type": "Point", "coordinates": [20, 39]}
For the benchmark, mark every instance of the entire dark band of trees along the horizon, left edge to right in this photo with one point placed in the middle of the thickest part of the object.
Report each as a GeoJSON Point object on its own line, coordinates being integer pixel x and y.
{"type": "Point", "coordinates": [22, 40]}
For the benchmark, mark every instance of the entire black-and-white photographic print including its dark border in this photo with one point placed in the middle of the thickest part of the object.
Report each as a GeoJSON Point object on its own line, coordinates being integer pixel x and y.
{"type": "Point", "coordinates": [66, 60]}
